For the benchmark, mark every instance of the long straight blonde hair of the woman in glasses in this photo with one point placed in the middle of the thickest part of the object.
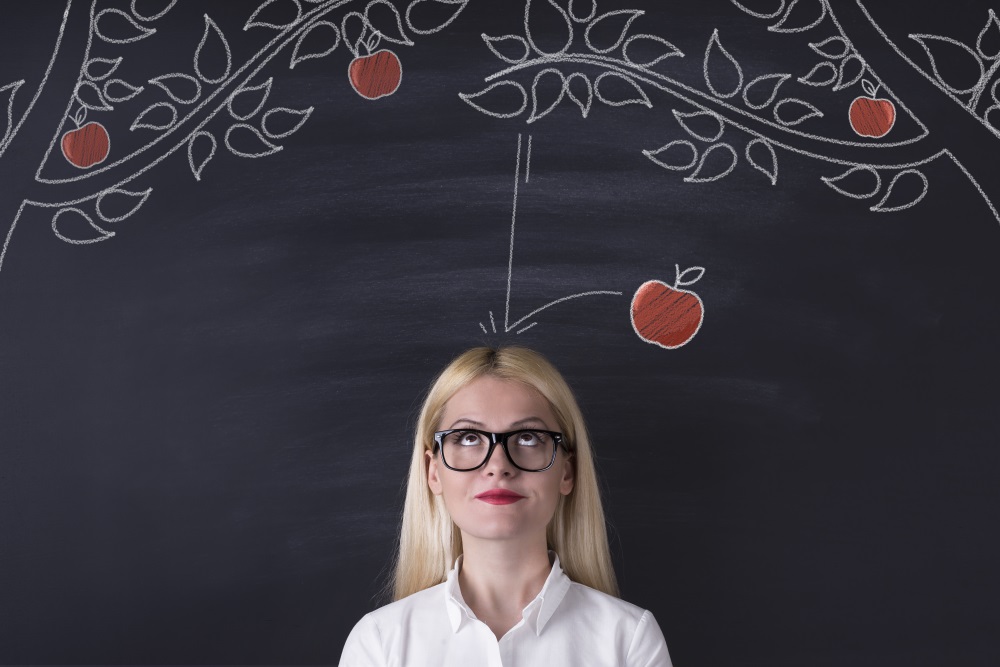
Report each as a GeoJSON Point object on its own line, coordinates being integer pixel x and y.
{"type": "Point", "coordinates": [429, 541]}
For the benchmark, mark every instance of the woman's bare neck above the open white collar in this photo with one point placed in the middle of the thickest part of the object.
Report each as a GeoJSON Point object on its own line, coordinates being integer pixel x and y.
{"type": "Point", "coordinates": [499, 578]}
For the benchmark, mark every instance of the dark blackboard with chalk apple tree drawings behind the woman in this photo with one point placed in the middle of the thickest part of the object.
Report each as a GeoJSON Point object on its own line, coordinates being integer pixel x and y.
{"type": "Point", "coordinates": [207, 401]}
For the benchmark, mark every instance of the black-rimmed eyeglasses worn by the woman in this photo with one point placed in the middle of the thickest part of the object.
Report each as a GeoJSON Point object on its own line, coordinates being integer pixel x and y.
{"type": "Point", "coordinates": [467, 449]}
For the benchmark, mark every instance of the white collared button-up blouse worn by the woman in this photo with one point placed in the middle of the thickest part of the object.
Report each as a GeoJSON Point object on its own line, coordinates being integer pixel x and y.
{"type": "Point", "coordinates": [566, 625]}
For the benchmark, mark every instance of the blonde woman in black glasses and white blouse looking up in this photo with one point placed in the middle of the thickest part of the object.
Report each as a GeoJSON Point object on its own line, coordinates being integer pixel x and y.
{"type": "Point", "coordinates": [503, 555]}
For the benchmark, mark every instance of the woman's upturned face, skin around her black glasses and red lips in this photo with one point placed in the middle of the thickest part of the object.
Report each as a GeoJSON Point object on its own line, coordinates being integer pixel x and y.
{"type": "Point", "coordinates": [491, 404]}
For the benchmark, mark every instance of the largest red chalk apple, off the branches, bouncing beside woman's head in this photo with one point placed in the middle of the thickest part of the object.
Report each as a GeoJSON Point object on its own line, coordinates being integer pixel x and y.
{"type": "Point", "coordinates": [666, 315]}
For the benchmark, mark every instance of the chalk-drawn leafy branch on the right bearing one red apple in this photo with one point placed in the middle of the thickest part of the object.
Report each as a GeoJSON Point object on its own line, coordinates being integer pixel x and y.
{"type": "Point", "coordinates": [770, 120]}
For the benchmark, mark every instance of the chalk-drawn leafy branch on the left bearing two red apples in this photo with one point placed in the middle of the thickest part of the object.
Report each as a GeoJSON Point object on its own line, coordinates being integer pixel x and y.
{"type": "Point", "coordinates": [181, 122]}
